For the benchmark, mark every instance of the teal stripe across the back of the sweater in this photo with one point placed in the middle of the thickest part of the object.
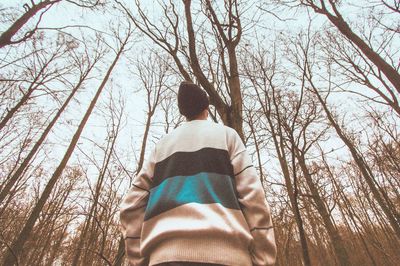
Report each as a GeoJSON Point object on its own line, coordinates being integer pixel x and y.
{"type": "Point", "coordinates": [204, 188]}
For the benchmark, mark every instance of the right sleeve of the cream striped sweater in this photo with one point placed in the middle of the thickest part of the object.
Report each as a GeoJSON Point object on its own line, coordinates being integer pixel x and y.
{"type": "Point", "coordinates": [255, 208]}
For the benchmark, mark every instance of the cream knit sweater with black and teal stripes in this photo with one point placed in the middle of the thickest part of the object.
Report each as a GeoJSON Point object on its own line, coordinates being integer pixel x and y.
{"type": "Point", "coordinates": [198, 199]}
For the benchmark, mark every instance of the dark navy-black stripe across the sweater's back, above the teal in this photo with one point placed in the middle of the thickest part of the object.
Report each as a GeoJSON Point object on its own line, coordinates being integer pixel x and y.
{"type": "Point", "coordinates": [209, 160]}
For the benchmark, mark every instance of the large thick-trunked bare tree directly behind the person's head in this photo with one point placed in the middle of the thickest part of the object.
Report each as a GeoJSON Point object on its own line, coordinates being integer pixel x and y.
{"type": "Point", "coordinates": [227, 32]}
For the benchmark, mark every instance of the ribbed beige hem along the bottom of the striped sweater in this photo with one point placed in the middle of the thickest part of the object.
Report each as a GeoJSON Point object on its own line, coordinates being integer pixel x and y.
{"type": "Point", "coordinates": [206, 250]}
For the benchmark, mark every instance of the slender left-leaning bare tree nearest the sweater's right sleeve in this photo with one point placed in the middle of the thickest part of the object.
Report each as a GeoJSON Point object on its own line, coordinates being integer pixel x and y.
{"type": "Point", "coordinates": [261, 73]}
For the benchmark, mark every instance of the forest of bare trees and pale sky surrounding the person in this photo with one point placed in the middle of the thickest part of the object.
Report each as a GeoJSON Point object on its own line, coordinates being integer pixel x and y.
{"type": "Point", "coordinates": [311, 86]}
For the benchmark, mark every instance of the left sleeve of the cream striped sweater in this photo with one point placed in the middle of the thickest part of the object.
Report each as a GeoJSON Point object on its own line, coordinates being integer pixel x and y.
{"type": "Point", "coordinates": [132, 210]}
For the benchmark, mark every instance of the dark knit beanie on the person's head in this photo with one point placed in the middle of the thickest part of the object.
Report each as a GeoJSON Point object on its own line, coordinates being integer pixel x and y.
{"type": "Point", "coordinates": [192, 100]}
